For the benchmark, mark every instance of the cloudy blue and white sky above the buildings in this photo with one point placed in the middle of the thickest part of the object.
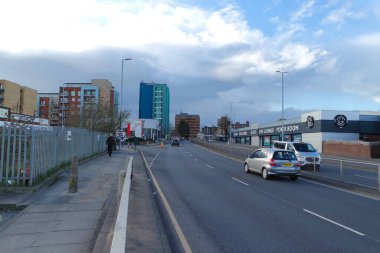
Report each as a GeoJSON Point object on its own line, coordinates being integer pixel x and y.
{"type": "Point", "coordinates": [218, 57]}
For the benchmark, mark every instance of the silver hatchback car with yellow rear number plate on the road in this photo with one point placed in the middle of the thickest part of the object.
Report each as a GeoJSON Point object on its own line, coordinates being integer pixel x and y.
{"type": "Point", "coordinates": [270, 161]}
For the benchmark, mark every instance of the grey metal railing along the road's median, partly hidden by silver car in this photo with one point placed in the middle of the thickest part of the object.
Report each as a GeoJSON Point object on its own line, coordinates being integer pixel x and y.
{"type": "Point", "coordinates": [355, 172]}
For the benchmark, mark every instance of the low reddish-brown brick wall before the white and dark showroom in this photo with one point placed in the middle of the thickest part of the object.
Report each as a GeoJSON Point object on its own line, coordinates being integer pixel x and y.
{"type": "Point", "coordinates": [352, 148]}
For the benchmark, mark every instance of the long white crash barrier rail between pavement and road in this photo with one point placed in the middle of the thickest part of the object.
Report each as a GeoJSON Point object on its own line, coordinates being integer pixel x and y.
{"type": "Point", "coordinates": [120, 233]}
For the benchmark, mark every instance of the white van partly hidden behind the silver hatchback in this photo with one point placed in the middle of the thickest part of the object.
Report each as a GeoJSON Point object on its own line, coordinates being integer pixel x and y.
{"type": "Point", "coordinates": [306, 154]}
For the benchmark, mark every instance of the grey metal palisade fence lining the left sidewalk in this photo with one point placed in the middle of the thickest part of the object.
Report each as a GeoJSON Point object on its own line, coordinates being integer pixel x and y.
{"type": "Point", "coordinates": [28, 153]}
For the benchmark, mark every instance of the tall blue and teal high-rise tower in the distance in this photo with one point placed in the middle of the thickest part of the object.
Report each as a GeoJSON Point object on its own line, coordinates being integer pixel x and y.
{"type": "Point", "coordinates": [154, 103]}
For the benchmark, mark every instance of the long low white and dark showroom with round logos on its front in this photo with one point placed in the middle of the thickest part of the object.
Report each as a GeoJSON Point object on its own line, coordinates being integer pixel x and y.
{"type": "Point", "coordinates": [315, 127]}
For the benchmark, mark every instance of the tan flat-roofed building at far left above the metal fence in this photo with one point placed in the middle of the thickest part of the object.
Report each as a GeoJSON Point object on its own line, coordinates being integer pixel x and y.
{"type": "Point", "coordinates": [19, 99]}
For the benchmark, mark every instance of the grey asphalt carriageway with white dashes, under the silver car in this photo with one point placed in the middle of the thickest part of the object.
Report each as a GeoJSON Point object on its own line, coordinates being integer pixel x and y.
{"type": "Point", "coordinates": [221, 209]}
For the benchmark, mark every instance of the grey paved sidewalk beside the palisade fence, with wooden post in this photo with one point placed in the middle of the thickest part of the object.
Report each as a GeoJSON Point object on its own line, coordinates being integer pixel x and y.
{"type": "Point", "coordinates": [59, 221]}
